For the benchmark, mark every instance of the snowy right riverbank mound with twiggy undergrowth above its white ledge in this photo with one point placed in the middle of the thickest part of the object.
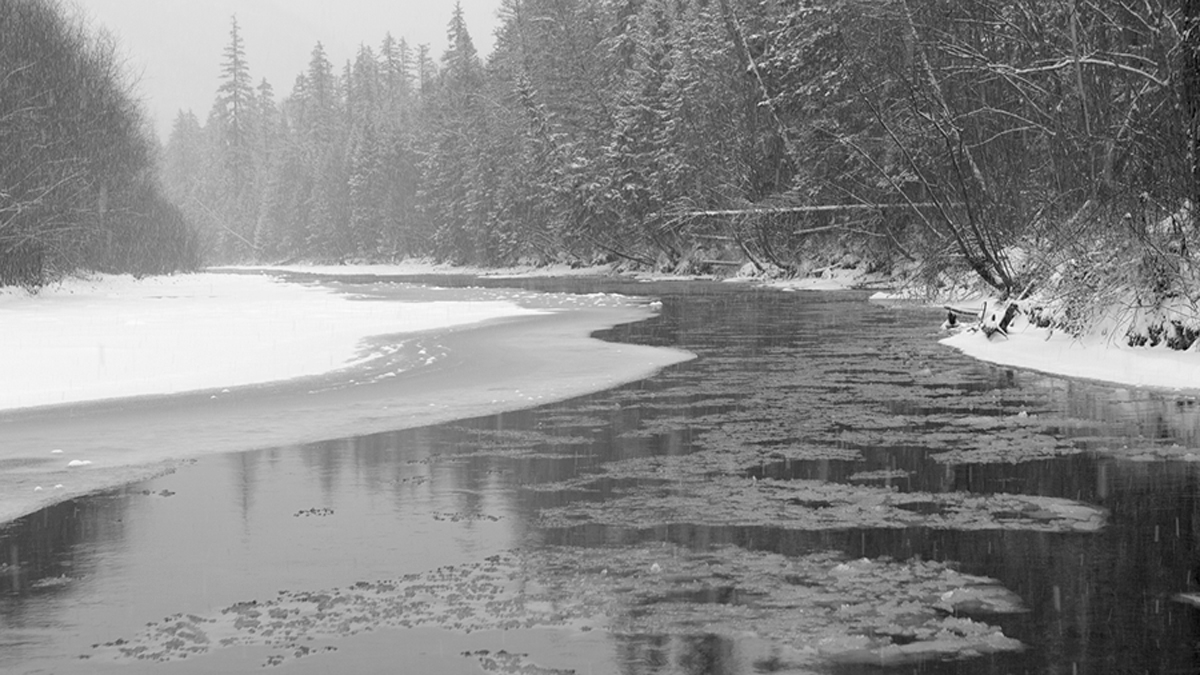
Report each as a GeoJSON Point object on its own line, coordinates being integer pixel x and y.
{"type": "Point", "coordinates": [1127, 318]}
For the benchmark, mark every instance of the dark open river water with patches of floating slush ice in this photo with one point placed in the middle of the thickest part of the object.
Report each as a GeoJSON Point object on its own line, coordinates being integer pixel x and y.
{"type": "Point", "coordinates": [825, 489]}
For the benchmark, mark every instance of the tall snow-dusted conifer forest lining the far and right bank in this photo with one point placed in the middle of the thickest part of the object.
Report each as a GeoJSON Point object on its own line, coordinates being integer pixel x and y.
{"type": "Point", "coordinates": [676, 133]}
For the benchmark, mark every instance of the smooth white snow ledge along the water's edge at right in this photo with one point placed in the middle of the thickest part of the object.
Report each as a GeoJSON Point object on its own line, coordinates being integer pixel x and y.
{"type": "Point", "coordinates": [1094, 359]}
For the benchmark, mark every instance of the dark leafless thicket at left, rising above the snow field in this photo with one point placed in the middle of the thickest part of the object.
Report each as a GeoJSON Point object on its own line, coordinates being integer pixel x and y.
{"type": "Point", "coordinates": [79, 182]}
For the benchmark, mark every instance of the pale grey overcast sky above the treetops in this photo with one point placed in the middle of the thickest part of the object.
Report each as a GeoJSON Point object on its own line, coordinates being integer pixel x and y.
{"type": "Point", "coordinates": [175, 47]}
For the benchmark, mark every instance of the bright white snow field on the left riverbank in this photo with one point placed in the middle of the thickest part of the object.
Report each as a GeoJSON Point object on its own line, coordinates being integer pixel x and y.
{"type": "Point", "coordinates": [116, 337]}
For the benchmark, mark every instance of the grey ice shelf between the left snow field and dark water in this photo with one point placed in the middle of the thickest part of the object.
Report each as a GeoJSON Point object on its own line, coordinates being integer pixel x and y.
{"type": "Point", "coordinates": [501, 362]}
